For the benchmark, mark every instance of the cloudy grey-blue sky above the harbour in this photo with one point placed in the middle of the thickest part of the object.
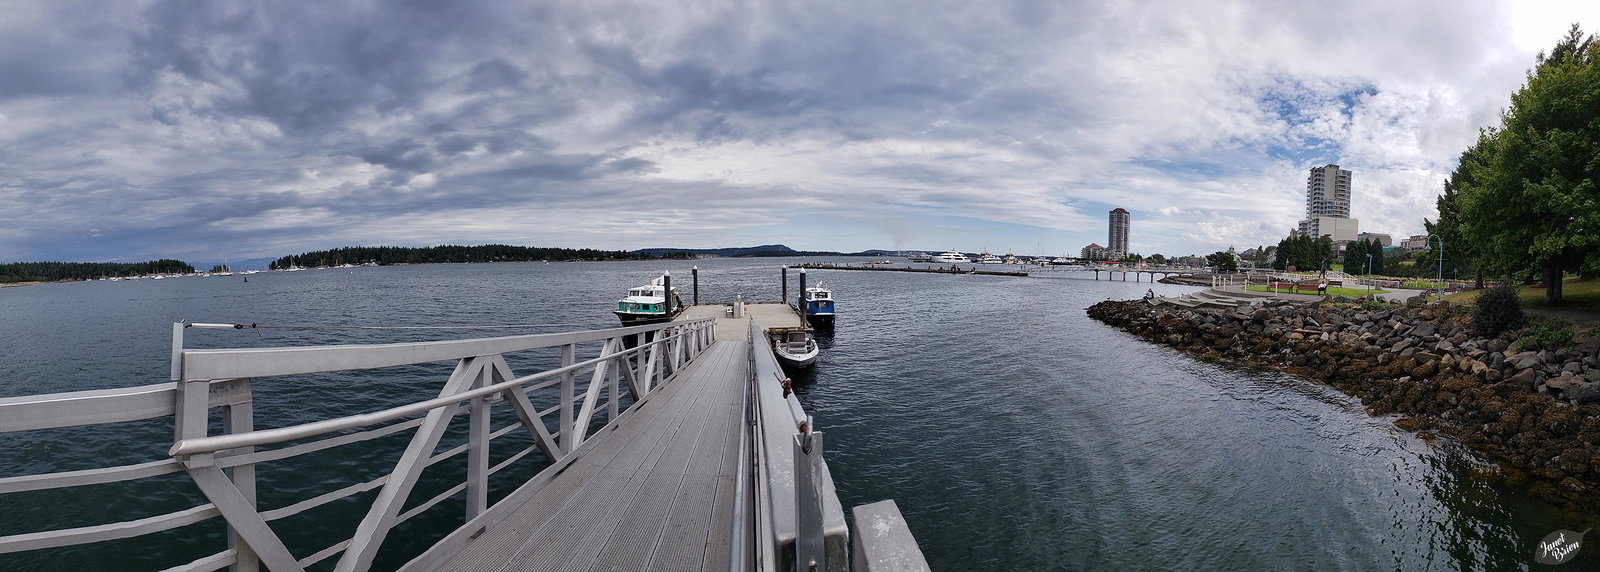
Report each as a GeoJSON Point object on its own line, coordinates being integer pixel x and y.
{"type": "Point", "coordinates": [236, 130]}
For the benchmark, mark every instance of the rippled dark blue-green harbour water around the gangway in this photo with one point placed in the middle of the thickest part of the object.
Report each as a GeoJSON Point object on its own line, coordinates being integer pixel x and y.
{"type": "Point", "coordinates": [1012, 431]}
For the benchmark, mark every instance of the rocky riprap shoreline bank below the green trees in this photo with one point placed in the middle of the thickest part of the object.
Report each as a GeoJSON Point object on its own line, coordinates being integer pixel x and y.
{"type": "Point", "coordinates": [1535, 410]}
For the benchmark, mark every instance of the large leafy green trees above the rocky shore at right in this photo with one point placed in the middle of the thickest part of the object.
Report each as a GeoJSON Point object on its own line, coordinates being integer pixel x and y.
{"type": "Point", "coordinates": [1522, 202]}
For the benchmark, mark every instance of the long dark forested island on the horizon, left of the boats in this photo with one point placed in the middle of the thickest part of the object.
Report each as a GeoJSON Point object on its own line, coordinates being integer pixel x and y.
{"type": "Point", "coordinates": [452, 253]}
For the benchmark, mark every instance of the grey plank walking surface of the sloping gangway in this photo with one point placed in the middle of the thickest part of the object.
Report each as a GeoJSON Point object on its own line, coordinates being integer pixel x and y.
{"type": "Point", "coordinates": [654, 495]}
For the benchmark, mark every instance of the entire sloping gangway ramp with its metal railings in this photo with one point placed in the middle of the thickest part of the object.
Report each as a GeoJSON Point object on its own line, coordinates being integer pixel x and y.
{"type": "Point", "coordinates": [671, 447]}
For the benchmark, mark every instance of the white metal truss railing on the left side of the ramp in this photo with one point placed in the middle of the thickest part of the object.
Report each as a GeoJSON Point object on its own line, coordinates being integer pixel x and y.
{"type": "Point", "coordinates": [225, 466]}
